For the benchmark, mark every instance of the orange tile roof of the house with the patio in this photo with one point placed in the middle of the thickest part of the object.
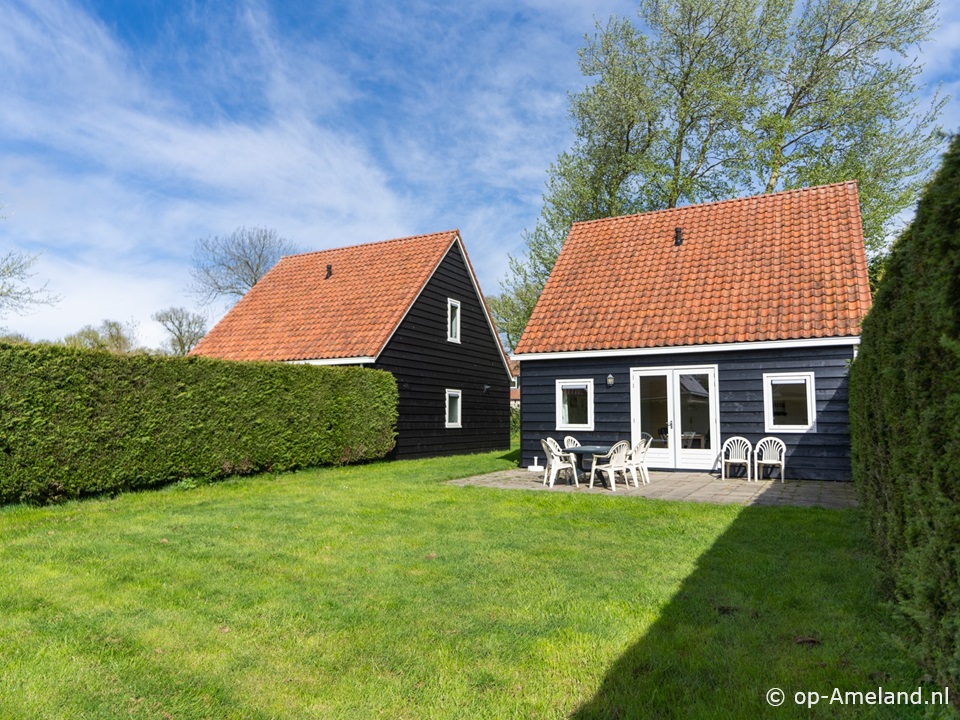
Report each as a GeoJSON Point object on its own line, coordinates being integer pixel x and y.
{"type": "Point", "coordinates": [788, 265]}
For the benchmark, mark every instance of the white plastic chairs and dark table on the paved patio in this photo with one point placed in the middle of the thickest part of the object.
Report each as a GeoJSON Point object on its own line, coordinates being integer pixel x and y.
{"type": "Point", "coordinates": [621, 459]}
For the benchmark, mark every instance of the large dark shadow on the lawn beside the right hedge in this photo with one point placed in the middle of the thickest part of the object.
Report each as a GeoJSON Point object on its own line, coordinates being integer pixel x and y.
{"type": "Point", "coordinates": [783, 599]}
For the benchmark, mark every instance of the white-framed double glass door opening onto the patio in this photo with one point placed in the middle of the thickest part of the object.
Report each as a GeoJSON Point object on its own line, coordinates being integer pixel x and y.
{"type": "Point", "coordinates": [678, 407]}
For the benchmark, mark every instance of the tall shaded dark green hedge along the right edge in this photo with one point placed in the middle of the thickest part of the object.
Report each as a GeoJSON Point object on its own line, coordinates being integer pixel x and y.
{"type": "Point", "coordinates": [905, 423]}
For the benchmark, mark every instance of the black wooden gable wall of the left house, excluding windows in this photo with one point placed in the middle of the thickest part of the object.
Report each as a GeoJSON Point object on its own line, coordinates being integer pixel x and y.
{"type": "Point", "coordinates": [425, 364]}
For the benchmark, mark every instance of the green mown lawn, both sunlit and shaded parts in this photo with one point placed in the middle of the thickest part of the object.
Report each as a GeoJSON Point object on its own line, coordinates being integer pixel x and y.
{"type": "Point", "coordinates": [380, 591]}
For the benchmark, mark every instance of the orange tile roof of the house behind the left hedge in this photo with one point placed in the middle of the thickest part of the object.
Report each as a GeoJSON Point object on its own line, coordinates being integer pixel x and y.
{"type": "Point", "coordinates": [295, 312]}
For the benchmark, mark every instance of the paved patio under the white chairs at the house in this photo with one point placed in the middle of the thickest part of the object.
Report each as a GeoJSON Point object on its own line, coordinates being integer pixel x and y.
{"type": "Point", "coordinates": [691, 486]}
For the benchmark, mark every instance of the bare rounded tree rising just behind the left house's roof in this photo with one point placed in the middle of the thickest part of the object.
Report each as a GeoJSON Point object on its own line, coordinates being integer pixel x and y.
{"type": "Point", "coordinates": [227, 266]}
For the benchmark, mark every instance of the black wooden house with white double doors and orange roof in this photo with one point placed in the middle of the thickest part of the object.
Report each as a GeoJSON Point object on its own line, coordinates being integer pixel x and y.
{"type": "Point", "coordinates": [699, 323]}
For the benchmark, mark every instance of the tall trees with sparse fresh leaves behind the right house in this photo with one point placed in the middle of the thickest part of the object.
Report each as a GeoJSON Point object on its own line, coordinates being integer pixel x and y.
{"type": "Point", "coordinates": [713, 100]}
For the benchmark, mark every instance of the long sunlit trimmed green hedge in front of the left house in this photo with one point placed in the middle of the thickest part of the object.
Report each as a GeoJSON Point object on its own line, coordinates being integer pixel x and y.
{"type": "Point", "coordinates": [79, 422]}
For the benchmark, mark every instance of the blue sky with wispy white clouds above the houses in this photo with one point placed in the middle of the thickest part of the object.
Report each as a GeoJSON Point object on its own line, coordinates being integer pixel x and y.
{"type": "Point", "coordinates": [128, 129]}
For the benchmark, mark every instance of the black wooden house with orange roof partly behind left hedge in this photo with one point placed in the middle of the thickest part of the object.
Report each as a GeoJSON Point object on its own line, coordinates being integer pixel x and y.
{"type": "Point", "coordinates": [411, 306]}
